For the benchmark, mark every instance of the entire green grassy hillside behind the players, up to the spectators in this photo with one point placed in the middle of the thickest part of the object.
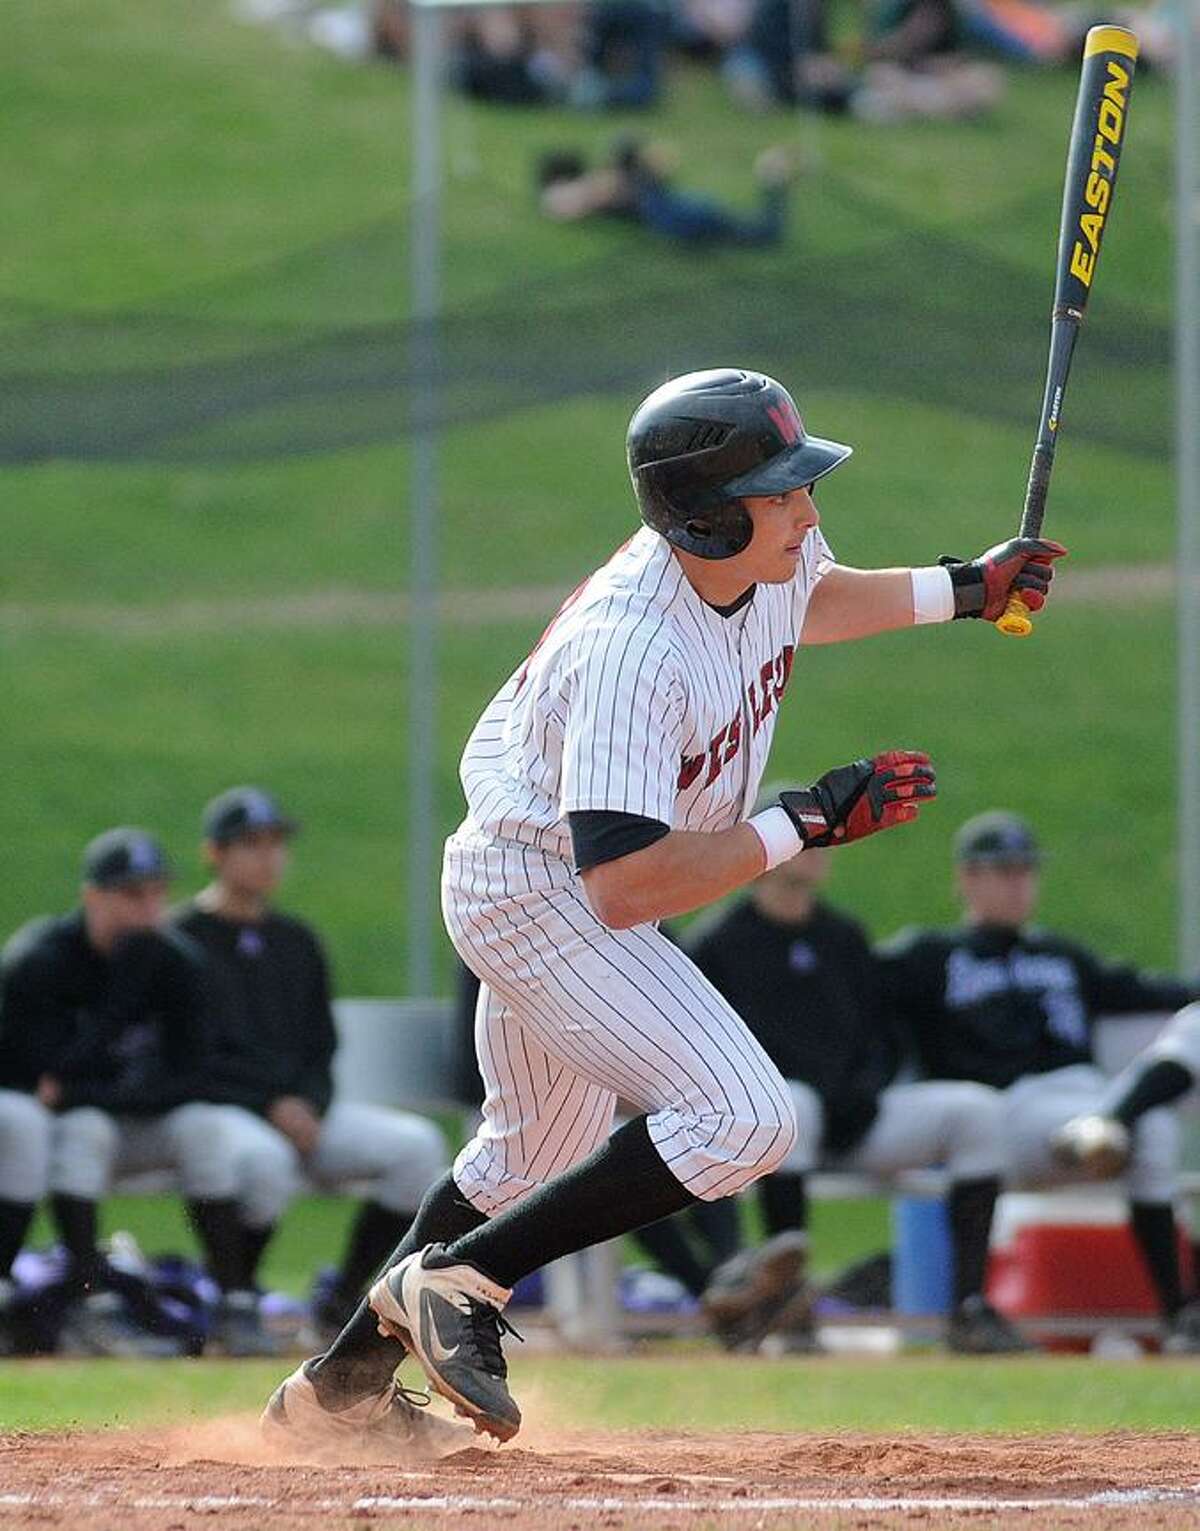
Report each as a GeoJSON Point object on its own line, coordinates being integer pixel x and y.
{"type": "Point", "coordinates": [204, 402]}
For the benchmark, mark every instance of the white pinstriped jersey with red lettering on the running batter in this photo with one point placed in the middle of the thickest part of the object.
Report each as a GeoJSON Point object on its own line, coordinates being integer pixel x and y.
{"type": "Point", "coordinates": [639, 699]}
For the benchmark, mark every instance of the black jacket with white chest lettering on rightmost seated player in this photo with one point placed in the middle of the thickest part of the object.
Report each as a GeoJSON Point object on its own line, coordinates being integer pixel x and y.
{"type": "Point", "coordinates": [993, 1005]}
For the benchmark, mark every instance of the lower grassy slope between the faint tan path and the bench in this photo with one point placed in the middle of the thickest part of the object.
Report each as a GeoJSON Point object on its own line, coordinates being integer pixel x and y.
{"type": "Point", "coordinates": [183, 713]}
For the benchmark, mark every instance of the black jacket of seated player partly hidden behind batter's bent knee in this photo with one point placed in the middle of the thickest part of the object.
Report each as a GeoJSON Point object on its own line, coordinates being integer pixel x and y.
{"type": "Point", "coordinates": [810, 996]}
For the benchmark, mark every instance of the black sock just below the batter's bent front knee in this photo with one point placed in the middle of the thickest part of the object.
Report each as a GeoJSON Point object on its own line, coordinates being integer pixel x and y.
{"type": "Point", "coordinates": [621, 1187]}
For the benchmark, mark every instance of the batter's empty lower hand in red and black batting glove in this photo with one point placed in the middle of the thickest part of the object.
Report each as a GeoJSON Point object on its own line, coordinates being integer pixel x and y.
{"type": "Point", "coordinates": [853, 801]}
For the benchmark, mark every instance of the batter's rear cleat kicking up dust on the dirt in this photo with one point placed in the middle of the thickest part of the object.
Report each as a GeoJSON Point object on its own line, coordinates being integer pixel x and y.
{"type": "Point", "coordinates": [393, 1426]}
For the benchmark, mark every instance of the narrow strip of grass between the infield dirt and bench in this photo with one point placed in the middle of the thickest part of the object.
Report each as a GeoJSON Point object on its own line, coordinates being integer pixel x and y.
{"type": "Point", "coordinates": [688, 1389]}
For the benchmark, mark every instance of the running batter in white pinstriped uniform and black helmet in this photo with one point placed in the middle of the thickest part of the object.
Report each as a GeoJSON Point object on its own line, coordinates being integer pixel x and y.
{"type": "Point", "coordinates": [608, 786]}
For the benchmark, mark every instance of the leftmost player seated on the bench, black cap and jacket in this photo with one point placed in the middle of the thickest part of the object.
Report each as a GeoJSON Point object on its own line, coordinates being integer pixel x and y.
{"type": "Point", "coordinates": [100, 1023]}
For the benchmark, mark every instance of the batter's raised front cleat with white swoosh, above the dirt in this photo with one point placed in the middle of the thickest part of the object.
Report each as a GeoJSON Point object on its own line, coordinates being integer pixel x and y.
{"type": "Point", "coordinates": [448, 1313]}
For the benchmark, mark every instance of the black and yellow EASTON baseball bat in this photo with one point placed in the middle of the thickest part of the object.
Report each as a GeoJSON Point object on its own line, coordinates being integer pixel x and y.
{"type": "Point", "coordinates": [1098, 132]}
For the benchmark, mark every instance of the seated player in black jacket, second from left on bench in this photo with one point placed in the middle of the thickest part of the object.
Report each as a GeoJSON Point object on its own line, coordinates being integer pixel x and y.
{"type": "Point", "coordinates": [269, 1005]}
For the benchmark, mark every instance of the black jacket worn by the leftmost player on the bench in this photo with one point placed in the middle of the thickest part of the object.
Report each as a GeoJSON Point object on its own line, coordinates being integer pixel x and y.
{"type": "Point", "coordinates": [123, 1033]}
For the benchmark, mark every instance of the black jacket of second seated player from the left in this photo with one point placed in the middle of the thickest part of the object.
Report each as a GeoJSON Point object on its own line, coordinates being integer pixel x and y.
{"type": "Point", "coordinates": [267, 999]}
